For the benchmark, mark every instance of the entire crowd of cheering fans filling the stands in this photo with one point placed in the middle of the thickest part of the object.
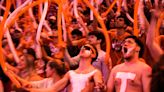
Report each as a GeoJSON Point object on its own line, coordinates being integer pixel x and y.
{"type": "Point", "coordinates": [77, 64]}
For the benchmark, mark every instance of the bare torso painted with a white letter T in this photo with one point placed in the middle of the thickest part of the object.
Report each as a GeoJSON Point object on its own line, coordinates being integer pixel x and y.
{"type": "Point", "coordinates": [129, 78]}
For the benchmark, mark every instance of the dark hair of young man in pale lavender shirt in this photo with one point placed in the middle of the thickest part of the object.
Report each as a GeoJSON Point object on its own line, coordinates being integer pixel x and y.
{"type": "Point", "coordinates": [99, 35]}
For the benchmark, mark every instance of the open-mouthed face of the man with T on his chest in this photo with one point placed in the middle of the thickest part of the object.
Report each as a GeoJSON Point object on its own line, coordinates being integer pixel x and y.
{"type": "Point", "coordinates": [129, 48]}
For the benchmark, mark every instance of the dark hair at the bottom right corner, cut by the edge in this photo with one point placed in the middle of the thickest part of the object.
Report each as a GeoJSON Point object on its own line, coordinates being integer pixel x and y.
{"type": "Point", "coordinates": [157, 82]}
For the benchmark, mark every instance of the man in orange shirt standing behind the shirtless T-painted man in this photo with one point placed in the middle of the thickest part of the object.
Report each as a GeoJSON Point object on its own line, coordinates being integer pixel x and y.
{"type": "Point", "coordinates": [117, 36]}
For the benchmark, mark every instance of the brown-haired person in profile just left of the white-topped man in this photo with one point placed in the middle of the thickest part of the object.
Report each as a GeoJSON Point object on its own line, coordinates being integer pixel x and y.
{"type": "Point", "coordinates": [55, 70]}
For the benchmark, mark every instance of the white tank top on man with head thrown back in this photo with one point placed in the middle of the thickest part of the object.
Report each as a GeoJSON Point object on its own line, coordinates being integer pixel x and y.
{"type": "Point", "coordinates": [79, 81]}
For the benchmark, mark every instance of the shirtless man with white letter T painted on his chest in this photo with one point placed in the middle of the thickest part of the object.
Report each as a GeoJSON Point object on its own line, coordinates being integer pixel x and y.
{"type": "Point", "coordinates": [132, 75]}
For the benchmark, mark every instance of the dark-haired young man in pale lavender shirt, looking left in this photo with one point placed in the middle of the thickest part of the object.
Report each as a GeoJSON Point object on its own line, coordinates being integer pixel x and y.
{"type": "Point", "coordinates": [96, 38]}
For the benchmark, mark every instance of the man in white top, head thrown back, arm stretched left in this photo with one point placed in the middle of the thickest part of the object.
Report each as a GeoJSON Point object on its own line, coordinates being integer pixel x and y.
{"type": "Point", "coordinates": [83, 78]}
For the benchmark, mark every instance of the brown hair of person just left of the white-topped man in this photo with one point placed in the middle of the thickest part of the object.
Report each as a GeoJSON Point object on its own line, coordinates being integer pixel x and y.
{"type": "Point", "coordinates": [59, 67]}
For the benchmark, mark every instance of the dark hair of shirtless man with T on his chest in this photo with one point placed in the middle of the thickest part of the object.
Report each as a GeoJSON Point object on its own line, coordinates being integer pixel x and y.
{"type": "Point", "coordinates": [139, 43]}
